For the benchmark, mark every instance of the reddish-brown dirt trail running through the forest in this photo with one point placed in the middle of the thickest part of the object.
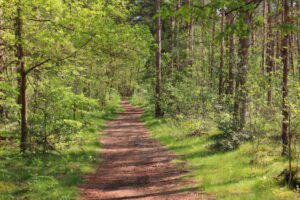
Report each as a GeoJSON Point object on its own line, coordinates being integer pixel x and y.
{"type": "Point", "coordinates": [134, 166]}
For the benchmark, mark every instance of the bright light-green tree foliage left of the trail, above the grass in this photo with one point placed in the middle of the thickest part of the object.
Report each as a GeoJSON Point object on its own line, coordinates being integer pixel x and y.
{"type": "Point", "coordinates": [74, 64]}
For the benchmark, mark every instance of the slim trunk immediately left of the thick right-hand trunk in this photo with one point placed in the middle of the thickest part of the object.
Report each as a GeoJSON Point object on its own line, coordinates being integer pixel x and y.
{"type": "Point", "coordinates": [231, 63]}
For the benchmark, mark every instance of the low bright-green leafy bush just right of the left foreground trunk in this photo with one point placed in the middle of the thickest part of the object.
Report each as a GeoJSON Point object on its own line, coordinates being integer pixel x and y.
{"type": "Point", "coordinates": [60, 117]}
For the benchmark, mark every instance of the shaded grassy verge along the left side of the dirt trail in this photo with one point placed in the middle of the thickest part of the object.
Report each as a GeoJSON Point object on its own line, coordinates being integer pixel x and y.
{"type": "Point", "coordinates": [54, 175]}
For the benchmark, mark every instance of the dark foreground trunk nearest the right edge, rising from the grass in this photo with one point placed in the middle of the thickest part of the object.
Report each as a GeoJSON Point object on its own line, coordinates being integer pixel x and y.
{"type": "Point", "coordinates": [285, 90]}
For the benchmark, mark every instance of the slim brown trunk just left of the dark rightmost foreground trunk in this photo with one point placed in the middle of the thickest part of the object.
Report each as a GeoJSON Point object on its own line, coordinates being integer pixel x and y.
{"type": "Point", "coordinates": [269, 52]}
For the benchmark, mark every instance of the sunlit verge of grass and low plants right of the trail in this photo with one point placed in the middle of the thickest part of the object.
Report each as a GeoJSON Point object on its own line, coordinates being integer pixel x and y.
{"type": "Point", "coordinates": [251, 172]}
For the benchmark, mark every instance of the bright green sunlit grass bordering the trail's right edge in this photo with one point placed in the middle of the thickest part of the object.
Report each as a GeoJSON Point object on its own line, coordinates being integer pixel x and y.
{"type": "Point", "coordinates": [228, 175]}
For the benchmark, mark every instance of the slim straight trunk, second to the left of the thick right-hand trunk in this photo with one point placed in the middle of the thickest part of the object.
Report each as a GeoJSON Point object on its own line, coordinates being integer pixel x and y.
{"type": "Point", "coordinates": [221, 89]}
